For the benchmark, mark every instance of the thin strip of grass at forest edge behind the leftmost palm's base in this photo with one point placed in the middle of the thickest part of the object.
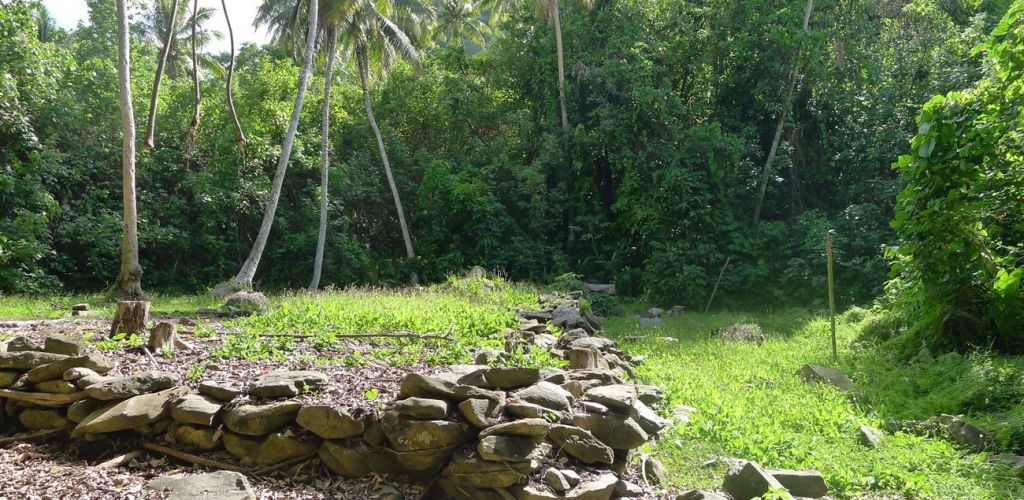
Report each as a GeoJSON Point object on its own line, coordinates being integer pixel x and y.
{"type": "Point", "coordinates": [57, 307]}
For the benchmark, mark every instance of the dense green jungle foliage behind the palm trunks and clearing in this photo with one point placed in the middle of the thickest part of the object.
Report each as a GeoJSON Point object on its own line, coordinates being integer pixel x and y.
{"type": "Point", "coordinates": [672, 111]}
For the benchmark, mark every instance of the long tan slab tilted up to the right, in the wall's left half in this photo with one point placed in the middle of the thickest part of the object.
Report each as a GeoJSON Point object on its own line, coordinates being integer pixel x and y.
{"type": "Point", "coordinates": [130, 414]}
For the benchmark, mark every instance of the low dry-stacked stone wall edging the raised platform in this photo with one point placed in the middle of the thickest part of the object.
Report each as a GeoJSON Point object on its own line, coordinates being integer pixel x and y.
{"type": "Point", "coordinates": [472, 432]}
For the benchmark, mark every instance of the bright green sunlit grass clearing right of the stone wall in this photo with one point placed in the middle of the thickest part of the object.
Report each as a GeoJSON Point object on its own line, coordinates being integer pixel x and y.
{"type": "Point", "coordinates": [750, 405]}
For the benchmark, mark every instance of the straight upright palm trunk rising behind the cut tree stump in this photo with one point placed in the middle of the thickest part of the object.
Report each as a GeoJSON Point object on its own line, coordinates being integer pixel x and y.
{"type": "Point", "coordinates": [130, 284]}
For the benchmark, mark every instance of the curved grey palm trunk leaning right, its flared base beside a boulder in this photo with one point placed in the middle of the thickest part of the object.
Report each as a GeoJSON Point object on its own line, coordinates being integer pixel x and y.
{"type": "Point", "coordinates": [248, 271]}
